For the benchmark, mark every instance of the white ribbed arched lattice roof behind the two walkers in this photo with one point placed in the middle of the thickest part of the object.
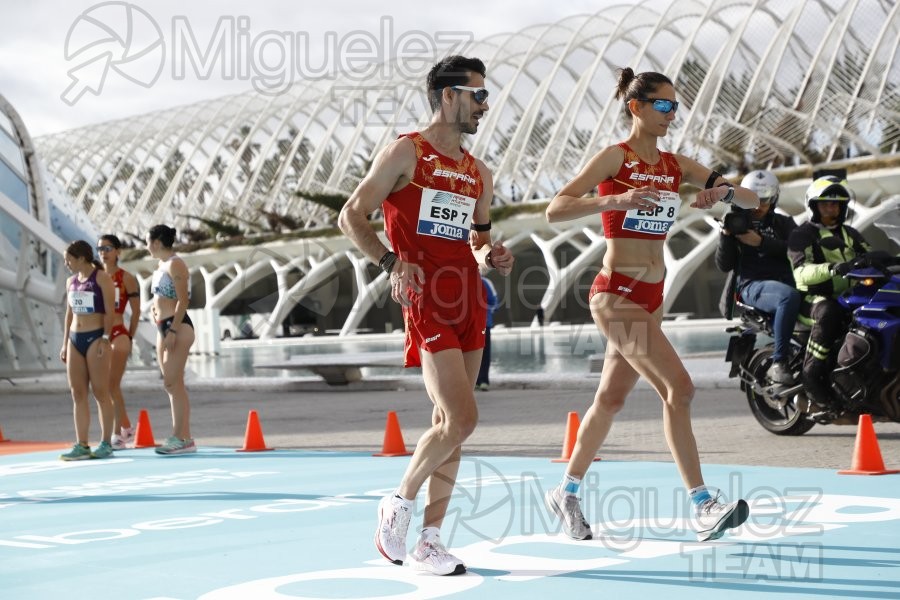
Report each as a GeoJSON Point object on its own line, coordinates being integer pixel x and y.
{"type": "Point", "coordinates": [763, 83]}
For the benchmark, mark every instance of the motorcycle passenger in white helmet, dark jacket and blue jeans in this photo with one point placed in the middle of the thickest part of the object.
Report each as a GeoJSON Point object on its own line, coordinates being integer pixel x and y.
{"type": "Point", "coordinates": [753, 243]}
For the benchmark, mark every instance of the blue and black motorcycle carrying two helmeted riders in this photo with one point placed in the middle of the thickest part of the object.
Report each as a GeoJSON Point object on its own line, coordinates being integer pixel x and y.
{"type": "Point", "coordinates": [866, 378]}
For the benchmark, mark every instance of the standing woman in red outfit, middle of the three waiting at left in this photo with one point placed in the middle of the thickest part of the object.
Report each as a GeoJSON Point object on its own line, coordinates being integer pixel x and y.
{"type": "Point", "coordinates": [126, 294]}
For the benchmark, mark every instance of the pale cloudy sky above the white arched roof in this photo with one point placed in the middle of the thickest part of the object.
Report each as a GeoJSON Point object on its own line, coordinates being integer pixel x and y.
{"type": "Point", "coordinates": [65, 64]}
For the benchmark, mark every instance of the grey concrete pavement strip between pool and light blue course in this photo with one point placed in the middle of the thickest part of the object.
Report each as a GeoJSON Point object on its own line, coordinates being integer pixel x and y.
{"type": "Point", "coordinates": [522, 415]}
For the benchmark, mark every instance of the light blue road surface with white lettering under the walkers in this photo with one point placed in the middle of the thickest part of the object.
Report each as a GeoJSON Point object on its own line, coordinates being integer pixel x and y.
{"type": "Point", "coordinates": [296, 524]}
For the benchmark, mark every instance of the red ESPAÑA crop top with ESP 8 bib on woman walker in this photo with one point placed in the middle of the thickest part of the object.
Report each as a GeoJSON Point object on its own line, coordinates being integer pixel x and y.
{"type": "Point", "coordinates": [665, 176]}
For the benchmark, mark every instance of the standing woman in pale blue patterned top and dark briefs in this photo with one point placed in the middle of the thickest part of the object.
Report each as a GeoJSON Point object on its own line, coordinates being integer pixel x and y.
{"type": "Point", "coordinates": [171, 289]}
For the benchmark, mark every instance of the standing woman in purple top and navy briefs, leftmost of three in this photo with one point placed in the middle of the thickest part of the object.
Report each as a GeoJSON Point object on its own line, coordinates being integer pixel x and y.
{"type": "Point", "coordinates": [85, 349]}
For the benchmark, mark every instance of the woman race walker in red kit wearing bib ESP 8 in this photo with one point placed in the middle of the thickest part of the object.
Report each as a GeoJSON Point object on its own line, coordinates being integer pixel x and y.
{"type": "Point", "coordinates": [638, 198]}
